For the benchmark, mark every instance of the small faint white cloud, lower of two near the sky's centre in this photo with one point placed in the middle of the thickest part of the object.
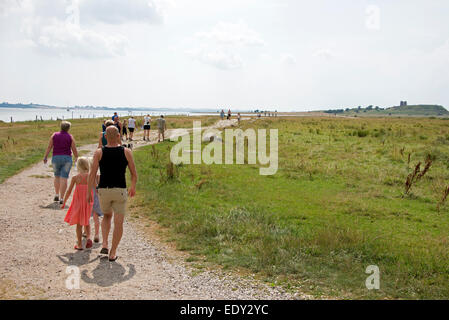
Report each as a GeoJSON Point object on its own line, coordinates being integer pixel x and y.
{"type": "Point", "coordinates": [219, 58]}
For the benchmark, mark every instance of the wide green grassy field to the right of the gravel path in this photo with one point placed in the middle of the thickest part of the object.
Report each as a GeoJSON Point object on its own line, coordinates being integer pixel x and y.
{"type": "Point", "coordinates": [336, 206]}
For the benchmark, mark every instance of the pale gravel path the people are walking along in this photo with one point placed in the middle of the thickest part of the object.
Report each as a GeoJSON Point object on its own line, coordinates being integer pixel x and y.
{"type": "Point", "coordinates": [37, 247]}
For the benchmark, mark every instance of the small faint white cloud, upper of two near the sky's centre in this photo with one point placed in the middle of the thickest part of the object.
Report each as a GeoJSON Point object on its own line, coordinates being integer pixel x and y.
{"type": "Point", "coordinates": [232, 34]}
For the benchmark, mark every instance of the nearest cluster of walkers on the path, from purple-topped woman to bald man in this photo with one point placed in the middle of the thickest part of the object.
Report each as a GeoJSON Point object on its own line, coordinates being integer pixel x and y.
{"type": "Point", "coordinates": [104, 195]}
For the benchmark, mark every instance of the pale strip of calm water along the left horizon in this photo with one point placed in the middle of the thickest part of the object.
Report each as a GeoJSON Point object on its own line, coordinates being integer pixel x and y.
{"type": "Point", "coordinates": [53, 114]}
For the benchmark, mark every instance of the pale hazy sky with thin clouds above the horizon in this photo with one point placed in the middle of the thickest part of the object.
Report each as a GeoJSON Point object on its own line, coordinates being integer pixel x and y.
{"type": "Point", "coordinates": [285, 55]}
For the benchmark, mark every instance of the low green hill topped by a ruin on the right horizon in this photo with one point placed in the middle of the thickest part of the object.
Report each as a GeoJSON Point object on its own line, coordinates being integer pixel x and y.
{"type": "Point", "coordinates": [409, 111]}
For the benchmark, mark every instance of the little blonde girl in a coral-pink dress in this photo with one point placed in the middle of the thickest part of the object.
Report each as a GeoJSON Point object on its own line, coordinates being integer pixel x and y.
{"type": "Point", "coordinates": [80, 210]}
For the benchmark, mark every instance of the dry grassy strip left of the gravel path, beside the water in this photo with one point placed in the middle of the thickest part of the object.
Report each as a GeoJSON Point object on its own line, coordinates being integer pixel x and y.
{"type": "Point", "coordinates": [24, 143]}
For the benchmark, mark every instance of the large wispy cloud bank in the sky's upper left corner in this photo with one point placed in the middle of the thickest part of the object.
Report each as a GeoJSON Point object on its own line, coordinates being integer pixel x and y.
{"type": "Point", "coordinates": [54, 26]}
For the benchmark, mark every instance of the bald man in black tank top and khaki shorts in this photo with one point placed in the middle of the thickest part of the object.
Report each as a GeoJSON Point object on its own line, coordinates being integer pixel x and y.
{"type": "Point", "coordinates": [112, 159]}
